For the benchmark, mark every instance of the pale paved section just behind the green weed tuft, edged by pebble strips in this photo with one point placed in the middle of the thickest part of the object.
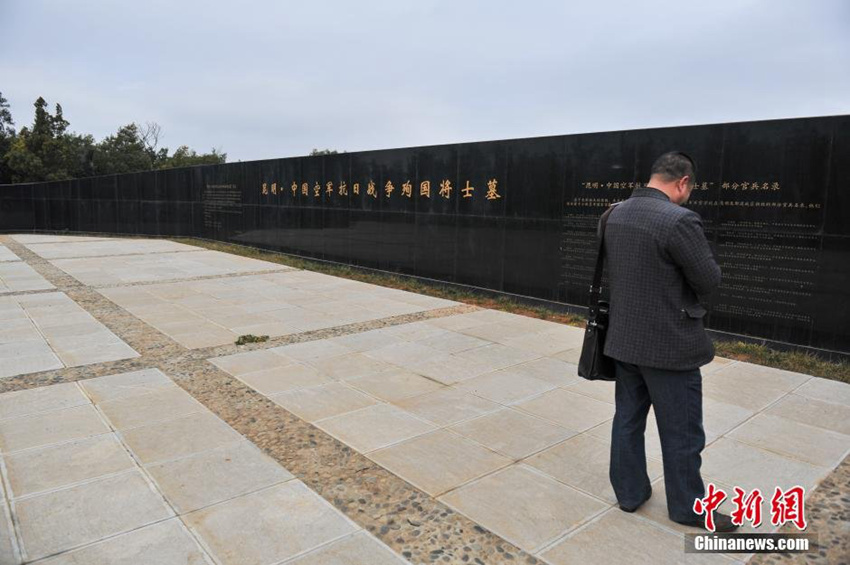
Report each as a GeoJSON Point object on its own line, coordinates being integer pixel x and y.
{"type": "Point", "coordinates": [217, 311]}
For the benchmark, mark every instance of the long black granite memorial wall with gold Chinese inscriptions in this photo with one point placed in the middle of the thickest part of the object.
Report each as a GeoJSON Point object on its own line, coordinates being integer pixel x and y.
{"type": "Point", "coordinates": [515, 216]}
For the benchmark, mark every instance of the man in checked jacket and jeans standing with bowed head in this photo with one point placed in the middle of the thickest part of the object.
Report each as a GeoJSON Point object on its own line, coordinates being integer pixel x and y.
{"type": "Point", "coordinates": [660, 270]}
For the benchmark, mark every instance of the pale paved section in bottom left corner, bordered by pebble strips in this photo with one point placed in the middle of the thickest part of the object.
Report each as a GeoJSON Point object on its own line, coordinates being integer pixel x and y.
{"type": "Point", "coordinates": [91, 493]}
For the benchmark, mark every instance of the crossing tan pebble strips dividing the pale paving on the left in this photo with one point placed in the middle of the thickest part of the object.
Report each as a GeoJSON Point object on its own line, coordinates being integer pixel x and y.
{"type": "Point", "coordinates": [415, 525]}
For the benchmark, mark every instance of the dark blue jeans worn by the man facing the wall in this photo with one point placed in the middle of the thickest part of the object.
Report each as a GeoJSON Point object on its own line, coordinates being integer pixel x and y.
{"type": "Point", "coordinates": [677, 398]}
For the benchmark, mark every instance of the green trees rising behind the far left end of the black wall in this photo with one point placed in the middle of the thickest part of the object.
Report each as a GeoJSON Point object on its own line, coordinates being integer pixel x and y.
{"type": "Point", "coordinates": [47, 151]}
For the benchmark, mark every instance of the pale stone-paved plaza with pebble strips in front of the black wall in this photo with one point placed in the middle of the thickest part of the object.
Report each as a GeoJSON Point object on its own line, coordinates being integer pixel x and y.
{"type": "Point", "coordinates": [375, 426]}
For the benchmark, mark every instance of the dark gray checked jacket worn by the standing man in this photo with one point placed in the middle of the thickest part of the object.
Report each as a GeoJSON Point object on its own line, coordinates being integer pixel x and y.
{"type": "Point", "coordinates": [660, 271]}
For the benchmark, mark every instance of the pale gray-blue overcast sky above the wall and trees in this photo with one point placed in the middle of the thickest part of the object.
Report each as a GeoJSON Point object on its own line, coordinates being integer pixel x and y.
{"type": "Point", "coordinates": [261, 79]}
